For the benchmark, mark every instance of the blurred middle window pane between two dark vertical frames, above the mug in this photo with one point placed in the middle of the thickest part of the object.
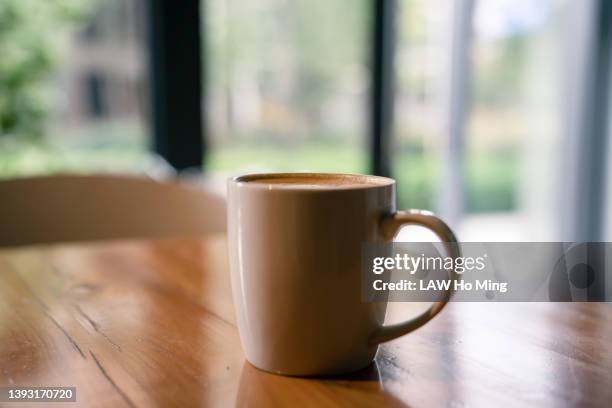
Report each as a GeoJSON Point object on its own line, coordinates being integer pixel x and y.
{"type": "Point", "coordinates": [288, 85]}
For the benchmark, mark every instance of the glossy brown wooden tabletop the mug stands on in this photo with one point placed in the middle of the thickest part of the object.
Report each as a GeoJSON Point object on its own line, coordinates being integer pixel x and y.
{"type": "Point", "coordinates": [141, 323]}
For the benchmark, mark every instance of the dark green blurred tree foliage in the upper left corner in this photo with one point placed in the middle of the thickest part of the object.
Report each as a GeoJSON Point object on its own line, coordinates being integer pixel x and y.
{"type": "Point", "coordinates": [31, 40]}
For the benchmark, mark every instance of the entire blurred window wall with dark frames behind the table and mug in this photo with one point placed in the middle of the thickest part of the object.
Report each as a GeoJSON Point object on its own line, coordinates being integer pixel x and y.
{"type": "Point", "coordinates": [499, 106]}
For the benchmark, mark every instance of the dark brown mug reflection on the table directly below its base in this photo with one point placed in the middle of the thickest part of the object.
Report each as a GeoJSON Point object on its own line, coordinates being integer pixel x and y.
{"type": "Point", "coordinates": [364, 387]}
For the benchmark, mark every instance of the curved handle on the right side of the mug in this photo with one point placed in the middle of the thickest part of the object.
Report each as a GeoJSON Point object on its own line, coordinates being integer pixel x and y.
{"type": "Point", "coordinates": [389, 227]}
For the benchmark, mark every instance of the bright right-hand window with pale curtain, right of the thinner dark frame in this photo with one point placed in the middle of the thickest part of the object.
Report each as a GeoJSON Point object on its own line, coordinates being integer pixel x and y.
{"type": "Point", "coordinates": [490, 142]}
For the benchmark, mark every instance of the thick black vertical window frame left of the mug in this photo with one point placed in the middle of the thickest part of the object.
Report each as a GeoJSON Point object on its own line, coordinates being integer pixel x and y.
{"type": "Point", "coordinates": [175, 76]}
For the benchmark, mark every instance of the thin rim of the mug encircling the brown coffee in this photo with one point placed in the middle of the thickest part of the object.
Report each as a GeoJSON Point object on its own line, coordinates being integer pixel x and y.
{"type": "Point", "coordinates": [361, 181]}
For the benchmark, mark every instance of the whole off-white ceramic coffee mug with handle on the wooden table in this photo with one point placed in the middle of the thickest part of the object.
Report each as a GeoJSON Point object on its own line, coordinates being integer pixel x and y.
{"type": "Point", "coordinates": [295, 251]}
